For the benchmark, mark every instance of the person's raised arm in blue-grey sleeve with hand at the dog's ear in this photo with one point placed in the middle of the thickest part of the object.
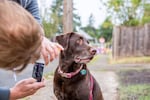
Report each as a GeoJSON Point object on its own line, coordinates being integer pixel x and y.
{"type": "Point", "coordinates": [48, 47]}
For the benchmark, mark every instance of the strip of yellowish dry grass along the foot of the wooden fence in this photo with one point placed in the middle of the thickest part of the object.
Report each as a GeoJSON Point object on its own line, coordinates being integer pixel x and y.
{"type": "Point", "coordinates": [130, 60]}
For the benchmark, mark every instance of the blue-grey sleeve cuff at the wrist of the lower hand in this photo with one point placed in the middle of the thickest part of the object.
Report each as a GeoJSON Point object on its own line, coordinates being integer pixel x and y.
{"type": "Point", "coordinates": [4, 93]}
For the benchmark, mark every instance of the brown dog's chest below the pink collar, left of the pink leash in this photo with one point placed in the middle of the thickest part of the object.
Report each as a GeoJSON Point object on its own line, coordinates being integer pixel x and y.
{"type": "Point", "coordinates": [76, 91]}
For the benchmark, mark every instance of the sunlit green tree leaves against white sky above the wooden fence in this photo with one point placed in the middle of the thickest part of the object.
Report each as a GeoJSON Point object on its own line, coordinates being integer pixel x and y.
{"type": "Point", "coordinates": [125, 12]}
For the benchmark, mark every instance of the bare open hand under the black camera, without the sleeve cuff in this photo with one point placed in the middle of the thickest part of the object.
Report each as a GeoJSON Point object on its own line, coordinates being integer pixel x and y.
{"type": "Point", "coordinates": [25, 88]}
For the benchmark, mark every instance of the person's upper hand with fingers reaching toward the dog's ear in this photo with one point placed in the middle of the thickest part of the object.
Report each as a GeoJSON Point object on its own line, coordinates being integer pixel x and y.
{"type": "Point", "coordinates": [50, 49]}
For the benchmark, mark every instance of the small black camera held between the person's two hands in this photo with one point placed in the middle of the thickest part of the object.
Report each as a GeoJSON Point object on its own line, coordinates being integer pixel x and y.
{"type": "Point", "coordinates": [38, 71]}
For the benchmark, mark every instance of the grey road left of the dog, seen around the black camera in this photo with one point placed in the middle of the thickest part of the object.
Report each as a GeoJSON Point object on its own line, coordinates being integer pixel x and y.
{"type": "Point", "coordinates": [7, 79]}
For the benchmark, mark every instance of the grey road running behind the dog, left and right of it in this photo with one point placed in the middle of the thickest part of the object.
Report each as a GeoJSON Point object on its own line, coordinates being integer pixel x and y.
{"type": "Point", "coordinates": [7, 80]}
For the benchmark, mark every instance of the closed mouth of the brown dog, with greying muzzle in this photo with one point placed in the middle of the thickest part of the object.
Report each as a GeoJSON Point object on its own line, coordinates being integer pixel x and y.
{"type": "Point", "coordinates": [79, 59]}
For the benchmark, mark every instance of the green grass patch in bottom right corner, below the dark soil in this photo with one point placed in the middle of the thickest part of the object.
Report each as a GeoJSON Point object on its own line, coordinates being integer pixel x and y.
{"type": "Point", "coordinates": [135, 92]}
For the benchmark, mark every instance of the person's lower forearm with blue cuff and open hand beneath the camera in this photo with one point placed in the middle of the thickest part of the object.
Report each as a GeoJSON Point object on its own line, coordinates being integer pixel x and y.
{"type": "Point", "coordinates": [22, 89]}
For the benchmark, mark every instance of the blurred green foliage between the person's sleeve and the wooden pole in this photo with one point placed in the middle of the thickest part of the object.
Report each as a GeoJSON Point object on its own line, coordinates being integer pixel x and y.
{"type": "Point", "coordinates": [52, 20]}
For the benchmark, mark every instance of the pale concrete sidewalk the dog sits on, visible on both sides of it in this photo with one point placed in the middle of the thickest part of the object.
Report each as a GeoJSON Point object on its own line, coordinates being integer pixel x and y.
{"type": "Point", "coordinates": [106, 79]}
